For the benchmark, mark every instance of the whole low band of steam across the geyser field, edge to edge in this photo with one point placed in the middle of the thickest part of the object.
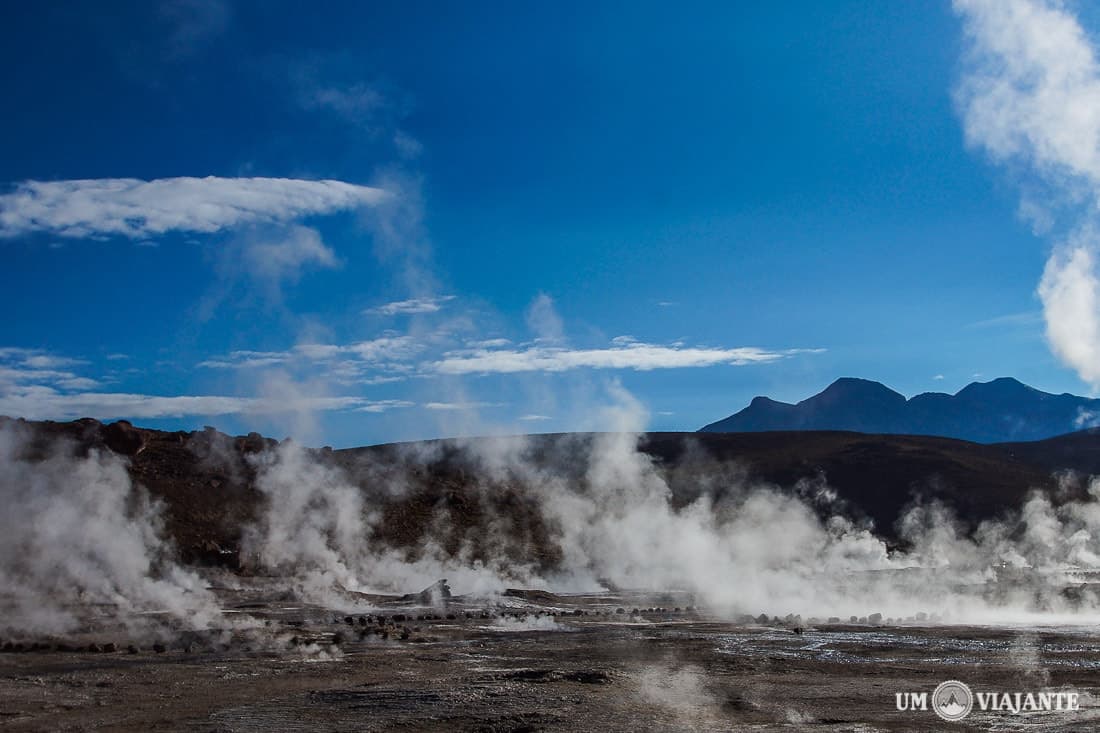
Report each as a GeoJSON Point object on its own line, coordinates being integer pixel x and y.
{"type": "Point", "coordinates": [85, 546]}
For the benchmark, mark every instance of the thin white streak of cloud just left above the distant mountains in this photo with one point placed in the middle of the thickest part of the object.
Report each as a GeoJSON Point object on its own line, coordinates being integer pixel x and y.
{"type": "Point", "coordinates": [636, 356]}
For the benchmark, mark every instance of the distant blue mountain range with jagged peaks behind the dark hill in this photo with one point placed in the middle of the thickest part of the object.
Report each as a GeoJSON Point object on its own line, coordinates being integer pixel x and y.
{"type": "Point", "coordinates": [1000, 411]}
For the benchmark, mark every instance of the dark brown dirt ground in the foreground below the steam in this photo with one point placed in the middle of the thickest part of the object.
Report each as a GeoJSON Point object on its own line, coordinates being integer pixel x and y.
{"type": "Point", "coordinates": [531, 664]}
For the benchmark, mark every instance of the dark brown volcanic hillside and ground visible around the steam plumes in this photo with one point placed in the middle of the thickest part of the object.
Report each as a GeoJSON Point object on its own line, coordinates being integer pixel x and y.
{"type": "Point", "coordinates": [284, 651]}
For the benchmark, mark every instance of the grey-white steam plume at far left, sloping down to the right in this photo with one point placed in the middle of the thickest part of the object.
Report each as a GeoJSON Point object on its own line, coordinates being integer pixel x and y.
{"type": "Point", "coordinates": [78, 538]}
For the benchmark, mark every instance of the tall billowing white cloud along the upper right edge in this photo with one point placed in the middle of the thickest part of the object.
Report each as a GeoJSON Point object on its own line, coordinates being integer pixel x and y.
{"type": "Point", "coordinates": [1031, 95]}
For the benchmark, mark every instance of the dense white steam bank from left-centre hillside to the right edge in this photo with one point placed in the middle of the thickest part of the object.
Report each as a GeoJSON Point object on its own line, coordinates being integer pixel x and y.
{"type": "Point", "coordinates": [742, 549]}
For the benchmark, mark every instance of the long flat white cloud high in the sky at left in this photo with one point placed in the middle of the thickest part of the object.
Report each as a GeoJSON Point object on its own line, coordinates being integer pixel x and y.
{"type": "Point", "coordinates": [138, 210]}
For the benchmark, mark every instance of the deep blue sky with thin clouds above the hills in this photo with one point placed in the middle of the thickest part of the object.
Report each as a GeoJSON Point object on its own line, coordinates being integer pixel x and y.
{"type": "Point", "coordinates": [431, 220]}
